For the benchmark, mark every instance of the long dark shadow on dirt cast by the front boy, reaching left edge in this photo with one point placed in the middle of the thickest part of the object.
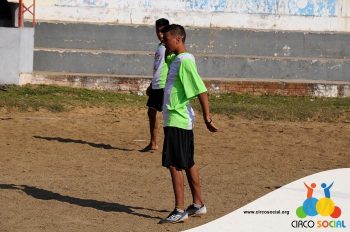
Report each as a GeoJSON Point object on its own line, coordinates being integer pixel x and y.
{"type": "Point", "coordinates": [46, 195]}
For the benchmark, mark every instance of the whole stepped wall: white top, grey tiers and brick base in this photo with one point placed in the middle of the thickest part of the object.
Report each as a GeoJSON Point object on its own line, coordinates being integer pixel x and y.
{"type": "Point", "coordinates": [110, 44]}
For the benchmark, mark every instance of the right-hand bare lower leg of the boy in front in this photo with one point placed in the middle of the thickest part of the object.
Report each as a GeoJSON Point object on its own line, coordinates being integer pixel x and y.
{"type": "Point", "coordinates": [194, 183]}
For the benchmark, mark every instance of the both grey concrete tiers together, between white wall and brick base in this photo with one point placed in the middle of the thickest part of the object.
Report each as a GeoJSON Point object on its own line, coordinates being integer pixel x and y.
{"type": "Point", "coordinates": [220, 53]}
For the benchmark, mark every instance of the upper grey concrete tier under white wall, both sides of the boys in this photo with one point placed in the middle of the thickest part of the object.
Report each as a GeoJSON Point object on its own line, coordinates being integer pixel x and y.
{"type": "Point", "coordinates": [199, 40]}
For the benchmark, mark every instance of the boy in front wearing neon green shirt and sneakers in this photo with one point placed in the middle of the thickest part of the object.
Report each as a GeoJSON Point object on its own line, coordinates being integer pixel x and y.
{"type": "Point", "coordinates": [183, 84]}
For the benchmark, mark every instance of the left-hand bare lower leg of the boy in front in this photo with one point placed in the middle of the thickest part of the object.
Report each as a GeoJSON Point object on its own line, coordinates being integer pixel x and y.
{"type": "Point", "coordinates": [177, 178]}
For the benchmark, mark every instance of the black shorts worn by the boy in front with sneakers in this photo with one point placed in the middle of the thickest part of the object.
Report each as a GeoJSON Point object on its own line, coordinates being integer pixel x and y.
{"type": "Point", "coordinates": [178, 148]}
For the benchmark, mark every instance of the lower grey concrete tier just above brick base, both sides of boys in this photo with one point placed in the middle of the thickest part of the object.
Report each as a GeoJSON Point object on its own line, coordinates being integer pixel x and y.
{"type": "Point", "coordinates": [209, 65]}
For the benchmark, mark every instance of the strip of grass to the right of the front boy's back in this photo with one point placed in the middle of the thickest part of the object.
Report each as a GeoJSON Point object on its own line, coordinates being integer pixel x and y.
{"type": "Point", "coordinates": [280, 107]}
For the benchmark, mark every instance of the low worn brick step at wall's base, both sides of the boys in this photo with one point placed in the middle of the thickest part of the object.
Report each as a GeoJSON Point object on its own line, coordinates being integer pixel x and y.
{"type": "Point", "coordinates": [138, 84]}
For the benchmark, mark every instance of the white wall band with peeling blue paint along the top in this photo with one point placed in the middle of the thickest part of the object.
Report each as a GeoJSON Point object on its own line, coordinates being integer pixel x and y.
{"type": "Point", "coordinates": [305, 15]}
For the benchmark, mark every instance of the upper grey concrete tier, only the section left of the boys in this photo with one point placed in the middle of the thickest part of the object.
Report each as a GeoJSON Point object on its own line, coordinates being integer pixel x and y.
{"type": "Point", "coordinates": [95, 36]}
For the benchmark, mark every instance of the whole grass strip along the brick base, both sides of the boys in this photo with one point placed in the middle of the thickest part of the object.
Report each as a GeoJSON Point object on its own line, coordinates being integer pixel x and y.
{"type": "Point", "coordinates": [58, 99]}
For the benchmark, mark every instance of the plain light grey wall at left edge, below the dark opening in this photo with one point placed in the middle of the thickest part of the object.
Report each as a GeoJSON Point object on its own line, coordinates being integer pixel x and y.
{"type": "Point", "coordinates": [16, 53]}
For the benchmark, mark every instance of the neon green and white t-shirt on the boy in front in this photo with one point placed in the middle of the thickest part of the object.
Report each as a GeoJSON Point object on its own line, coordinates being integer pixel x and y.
{"type": "Point", "coordinates": [183, 83]}
